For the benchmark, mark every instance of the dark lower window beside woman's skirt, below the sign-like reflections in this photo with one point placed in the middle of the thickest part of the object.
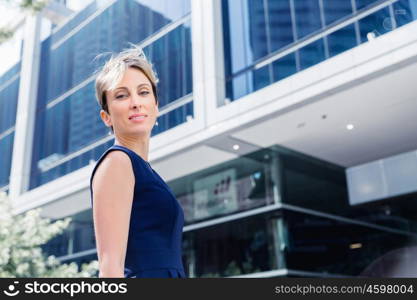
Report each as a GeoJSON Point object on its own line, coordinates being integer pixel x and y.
{"type": "Point", "coordinates": [233, 248]}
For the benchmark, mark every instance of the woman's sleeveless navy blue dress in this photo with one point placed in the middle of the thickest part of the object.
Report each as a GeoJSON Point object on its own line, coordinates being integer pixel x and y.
{"type": "Point", "coordinates": [156, 222]}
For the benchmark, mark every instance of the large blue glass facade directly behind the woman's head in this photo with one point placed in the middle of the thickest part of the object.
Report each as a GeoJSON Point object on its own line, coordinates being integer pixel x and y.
{"type": "Point", "coordinates": [67, 115]}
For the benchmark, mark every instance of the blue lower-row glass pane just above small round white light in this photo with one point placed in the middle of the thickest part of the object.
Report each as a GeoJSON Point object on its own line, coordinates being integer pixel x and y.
{"type": "Point", "coordinates": [375, 23]}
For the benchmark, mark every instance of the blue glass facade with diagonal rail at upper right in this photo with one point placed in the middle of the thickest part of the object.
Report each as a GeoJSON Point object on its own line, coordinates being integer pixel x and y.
{"type": "Point", "coordinates": [256, 30]}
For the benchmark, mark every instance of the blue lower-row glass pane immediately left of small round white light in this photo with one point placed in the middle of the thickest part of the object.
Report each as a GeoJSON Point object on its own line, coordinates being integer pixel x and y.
{"type": "Point", "coordinates": [341, 40]}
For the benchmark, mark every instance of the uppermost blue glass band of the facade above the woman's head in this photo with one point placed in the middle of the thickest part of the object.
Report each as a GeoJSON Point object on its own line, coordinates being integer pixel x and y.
{"type": "Point", "coordinates": [71, 57]}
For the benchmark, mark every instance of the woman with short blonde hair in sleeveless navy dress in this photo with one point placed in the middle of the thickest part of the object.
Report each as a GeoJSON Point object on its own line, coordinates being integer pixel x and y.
{"type": "Point", "coordinates": [137, 219]}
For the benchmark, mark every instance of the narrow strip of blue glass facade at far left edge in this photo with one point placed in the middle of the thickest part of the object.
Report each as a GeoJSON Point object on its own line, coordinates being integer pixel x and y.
{"type": "Point", "coordinates": [9, 92]}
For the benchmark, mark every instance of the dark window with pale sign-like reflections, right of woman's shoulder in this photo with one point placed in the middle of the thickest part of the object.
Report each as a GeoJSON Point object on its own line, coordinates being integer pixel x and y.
{"type": "Point", "coordinates": [237, 185]}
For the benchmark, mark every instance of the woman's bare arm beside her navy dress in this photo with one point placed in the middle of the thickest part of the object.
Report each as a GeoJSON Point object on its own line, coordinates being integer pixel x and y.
{"type": "Point", "coordinates": [113, 186]}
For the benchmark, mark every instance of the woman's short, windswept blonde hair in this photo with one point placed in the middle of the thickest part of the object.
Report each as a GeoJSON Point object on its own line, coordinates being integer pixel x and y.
{"type": "Point", "coordinates": [113, 70]}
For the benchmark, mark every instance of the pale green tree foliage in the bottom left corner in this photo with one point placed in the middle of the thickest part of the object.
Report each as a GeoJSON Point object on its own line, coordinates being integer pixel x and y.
{"type": "Point", "coordinates": [21, 238]}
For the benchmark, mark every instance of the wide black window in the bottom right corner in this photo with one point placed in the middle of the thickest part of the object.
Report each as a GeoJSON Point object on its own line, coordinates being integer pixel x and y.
{"type": "Point", "coordinates": [322, 245]}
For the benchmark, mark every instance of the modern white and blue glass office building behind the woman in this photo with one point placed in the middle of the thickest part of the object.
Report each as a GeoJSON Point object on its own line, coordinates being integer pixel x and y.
{"type": "Point", "coordinates": [260, 200]}
